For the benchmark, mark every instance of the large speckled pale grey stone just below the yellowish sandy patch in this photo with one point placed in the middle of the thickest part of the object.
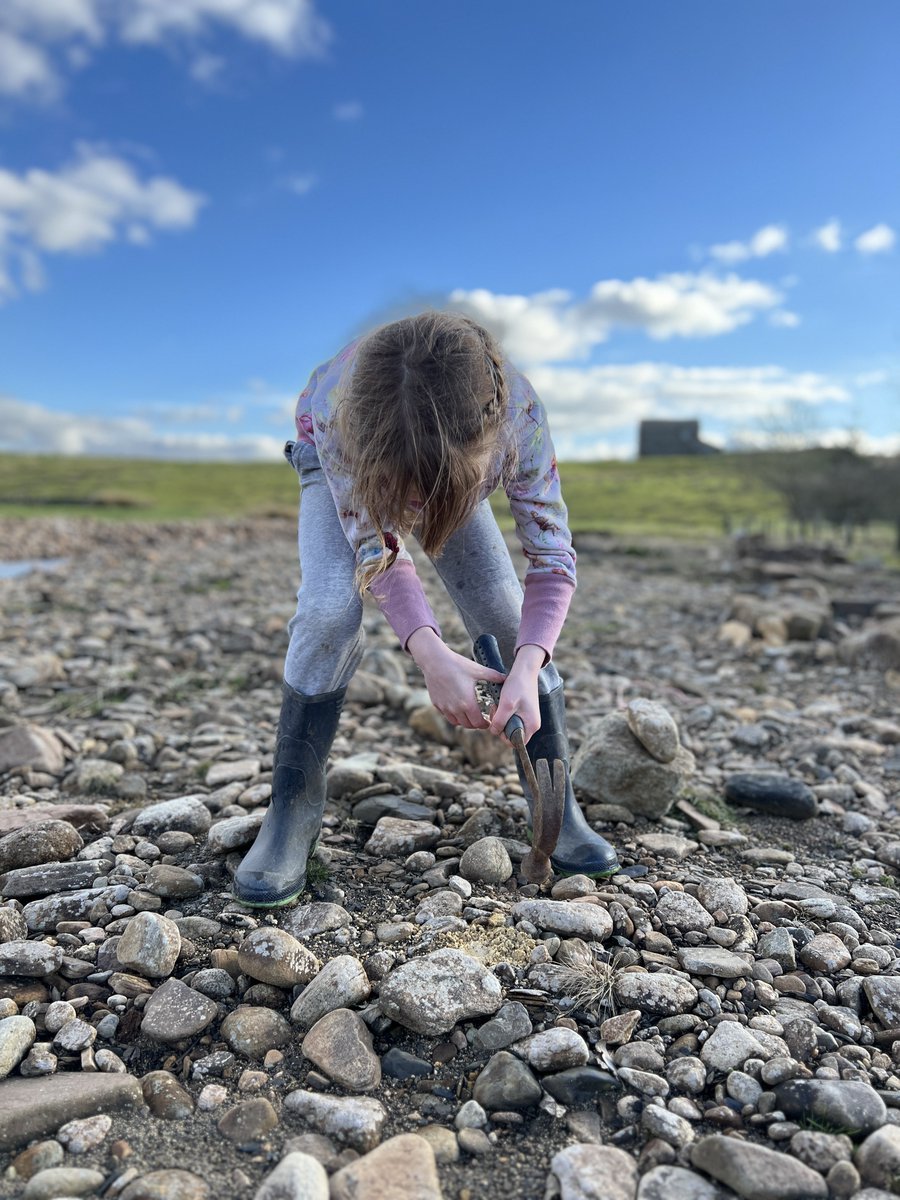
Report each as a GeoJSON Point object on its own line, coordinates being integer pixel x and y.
{"type": "Point", "coordinates": [430, 995]}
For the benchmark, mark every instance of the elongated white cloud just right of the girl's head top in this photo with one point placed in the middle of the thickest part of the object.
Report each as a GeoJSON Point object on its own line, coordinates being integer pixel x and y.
{"type": "Point", "coordinates": [554, 327]}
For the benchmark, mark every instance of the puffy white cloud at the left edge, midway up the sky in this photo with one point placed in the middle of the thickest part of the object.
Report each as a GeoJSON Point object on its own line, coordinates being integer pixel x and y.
{"type": "Point", "coordinates": [93, 201]}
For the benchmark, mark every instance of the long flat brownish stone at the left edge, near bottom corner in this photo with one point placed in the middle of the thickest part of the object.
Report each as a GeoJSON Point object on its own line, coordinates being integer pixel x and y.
{"type": "Point", "coordinates": [32, 1108]}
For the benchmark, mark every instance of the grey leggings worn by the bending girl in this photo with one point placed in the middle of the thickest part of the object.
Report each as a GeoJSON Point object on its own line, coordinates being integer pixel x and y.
{"type": "Point", "coordinates": [327, 635]}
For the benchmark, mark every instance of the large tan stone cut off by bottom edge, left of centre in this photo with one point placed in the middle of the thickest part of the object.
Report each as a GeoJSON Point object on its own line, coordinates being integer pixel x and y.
{"type": "Point", "coordinates": [399, 1169]}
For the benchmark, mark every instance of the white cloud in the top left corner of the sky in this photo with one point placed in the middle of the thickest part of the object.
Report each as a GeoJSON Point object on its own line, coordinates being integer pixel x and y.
{"type": "Point", "coordinates": [41, 39]}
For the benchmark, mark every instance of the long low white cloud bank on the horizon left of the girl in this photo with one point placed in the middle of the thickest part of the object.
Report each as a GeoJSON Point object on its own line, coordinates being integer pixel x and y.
{"type": "Point", "coordinates": [34, 429]}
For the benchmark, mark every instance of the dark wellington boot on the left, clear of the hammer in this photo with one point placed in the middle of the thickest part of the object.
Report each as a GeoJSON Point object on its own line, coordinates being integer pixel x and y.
{"type": "Point", "coordinates": [274, 869]}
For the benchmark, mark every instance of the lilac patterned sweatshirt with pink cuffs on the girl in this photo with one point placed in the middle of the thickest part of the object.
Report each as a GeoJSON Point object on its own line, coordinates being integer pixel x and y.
{"type": "Point", "coordinates": [535, 496]}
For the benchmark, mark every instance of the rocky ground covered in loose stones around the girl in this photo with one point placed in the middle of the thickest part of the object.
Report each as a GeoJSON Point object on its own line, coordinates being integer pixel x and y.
{"type": "Point", "coordinates": [721, 1021]}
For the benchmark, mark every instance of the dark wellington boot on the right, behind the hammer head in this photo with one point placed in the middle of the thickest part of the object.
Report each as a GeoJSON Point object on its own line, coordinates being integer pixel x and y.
{"type": "Point", "coordinates": [580, 851]}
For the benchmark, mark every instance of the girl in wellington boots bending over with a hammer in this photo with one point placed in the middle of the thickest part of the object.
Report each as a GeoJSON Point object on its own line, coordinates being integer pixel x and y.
{"type": "Point", "coordinates": [410, 430]}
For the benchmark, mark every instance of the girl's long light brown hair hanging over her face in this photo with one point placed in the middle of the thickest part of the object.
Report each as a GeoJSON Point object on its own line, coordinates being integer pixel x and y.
{"type": "Point", "coordinates": [419, 418]}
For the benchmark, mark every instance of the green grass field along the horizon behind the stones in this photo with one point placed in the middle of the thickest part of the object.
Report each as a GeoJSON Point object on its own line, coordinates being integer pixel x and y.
{"type": "Point", "coordinates": [680, 497]}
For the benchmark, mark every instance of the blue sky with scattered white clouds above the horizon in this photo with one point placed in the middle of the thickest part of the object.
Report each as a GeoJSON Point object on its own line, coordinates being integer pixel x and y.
{"type": "Point", "coordinates": [664, 211]}
